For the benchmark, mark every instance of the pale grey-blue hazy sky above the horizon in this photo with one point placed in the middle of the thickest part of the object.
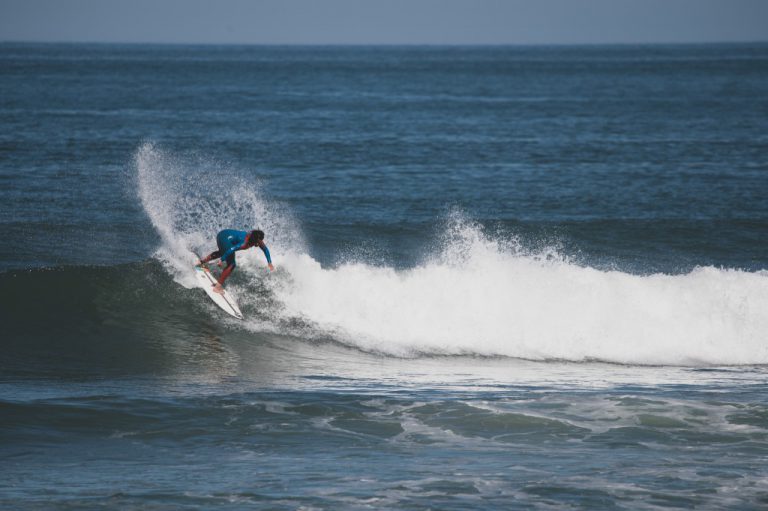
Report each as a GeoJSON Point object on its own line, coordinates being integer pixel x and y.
{"type": "Point", "coordinates": [434, 22]}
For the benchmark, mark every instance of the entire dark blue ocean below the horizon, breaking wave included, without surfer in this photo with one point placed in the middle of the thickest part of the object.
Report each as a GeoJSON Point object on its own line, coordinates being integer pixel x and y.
{"type": "Point", "coordinates": [506, 277]}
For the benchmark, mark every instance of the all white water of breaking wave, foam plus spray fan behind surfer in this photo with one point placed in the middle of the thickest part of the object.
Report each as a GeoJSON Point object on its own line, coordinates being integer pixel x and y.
{"type": "Point", "coordinates": [475, 294]}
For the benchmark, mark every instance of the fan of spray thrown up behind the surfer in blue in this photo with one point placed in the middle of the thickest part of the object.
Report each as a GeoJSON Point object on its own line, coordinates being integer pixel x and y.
{"type": "Point", "coordinates": [189, 199]}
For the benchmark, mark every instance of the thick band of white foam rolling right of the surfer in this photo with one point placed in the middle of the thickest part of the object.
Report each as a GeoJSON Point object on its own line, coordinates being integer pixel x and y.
{"type": "Point", "coordinates": [482, 297]}
